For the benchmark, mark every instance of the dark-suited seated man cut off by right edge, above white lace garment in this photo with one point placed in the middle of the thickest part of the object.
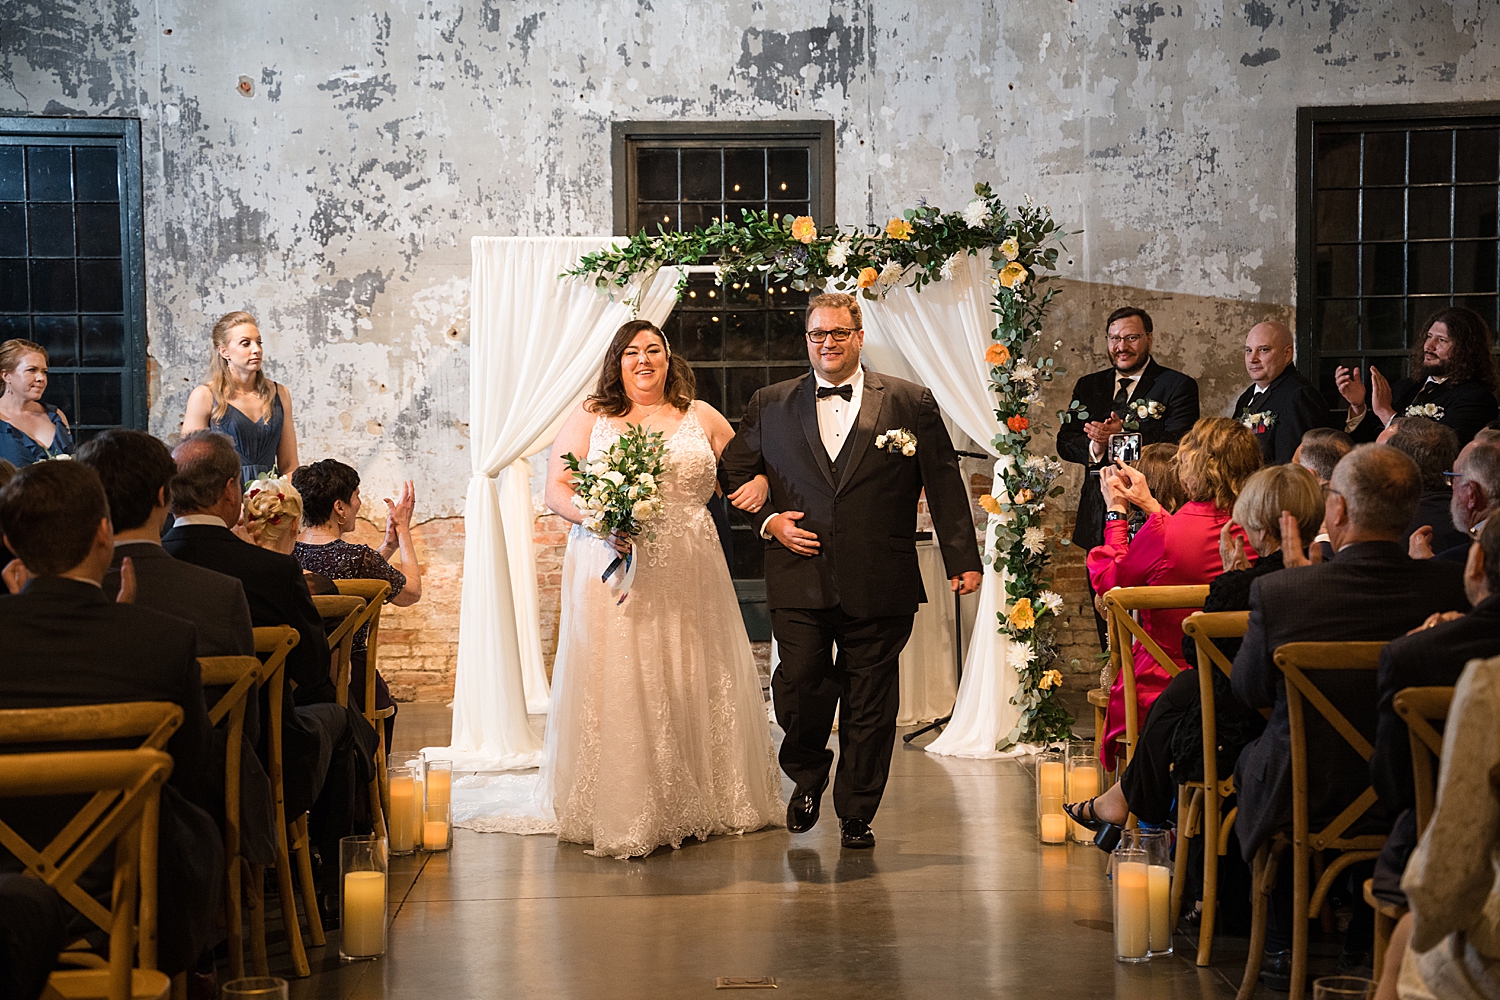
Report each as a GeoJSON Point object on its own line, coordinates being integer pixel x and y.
{"type": "Point", "coordinates": [1435, 656]}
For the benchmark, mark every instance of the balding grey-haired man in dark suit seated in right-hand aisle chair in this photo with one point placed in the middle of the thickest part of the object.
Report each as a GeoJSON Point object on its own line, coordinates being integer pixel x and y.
{"type": "Point", "coordinates": [1370, 591]}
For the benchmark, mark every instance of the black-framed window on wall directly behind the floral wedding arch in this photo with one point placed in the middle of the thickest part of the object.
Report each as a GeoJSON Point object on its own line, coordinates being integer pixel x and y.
{"type": "Point", "coordinates": [749, 334]}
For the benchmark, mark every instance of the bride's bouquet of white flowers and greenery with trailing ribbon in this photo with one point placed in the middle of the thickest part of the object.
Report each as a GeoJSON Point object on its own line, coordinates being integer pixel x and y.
{"type": "Point", "coordinates": [622, 494]}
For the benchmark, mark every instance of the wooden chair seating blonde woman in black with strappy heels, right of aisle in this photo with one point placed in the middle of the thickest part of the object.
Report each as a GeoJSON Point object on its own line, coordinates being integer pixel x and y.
{"type": "Point", "coordinates": [1201, 804]}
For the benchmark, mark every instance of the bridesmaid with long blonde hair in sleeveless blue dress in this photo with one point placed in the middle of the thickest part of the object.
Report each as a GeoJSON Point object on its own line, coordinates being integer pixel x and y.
{"type": "Point", "coordinates": [239, 401]}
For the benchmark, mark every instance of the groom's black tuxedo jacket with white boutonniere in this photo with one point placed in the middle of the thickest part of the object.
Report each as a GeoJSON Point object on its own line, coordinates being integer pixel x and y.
{"type": "Point", "coordinates": [866, 515]}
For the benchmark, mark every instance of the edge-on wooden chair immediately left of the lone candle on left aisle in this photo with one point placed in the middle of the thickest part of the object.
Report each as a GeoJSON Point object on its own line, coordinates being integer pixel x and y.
{"type": "Point", "coordinates": [292, 836]}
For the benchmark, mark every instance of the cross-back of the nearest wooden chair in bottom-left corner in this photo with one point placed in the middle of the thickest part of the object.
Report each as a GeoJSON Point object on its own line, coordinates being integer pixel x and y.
{"type": "Point", "coordinates": [131, 782]}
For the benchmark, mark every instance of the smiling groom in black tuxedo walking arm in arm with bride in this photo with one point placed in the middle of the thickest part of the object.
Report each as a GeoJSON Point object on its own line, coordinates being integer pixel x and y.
{"type": "Point", "coordinates": [841, 560]}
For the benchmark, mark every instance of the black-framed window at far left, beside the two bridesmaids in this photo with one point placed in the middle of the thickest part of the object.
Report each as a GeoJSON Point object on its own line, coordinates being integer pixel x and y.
{"type": "Point", "coordinates": [71, 262]}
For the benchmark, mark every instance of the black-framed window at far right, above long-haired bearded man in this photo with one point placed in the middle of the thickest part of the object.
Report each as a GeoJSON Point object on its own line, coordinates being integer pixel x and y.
{"type": "Point", "coordinates": [1397, 218]}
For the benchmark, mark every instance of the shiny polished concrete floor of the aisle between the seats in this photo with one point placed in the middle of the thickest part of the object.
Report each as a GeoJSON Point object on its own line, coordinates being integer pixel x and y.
{"type": "Point", "coordinates": [956, 902]}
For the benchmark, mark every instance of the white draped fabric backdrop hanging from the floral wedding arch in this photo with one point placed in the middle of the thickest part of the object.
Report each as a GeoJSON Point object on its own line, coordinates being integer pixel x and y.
{"type": "Point", "coordinates": [536, 346]}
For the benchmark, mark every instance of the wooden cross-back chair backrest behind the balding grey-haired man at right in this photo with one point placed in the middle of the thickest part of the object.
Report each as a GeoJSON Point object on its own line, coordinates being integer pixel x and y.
{"type": "Point", "coordinates": [1336, 657]}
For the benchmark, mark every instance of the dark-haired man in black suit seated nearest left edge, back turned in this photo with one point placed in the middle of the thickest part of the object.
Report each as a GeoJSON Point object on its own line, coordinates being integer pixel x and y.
{"type": "Point", "coordinates": [70, 645]}
